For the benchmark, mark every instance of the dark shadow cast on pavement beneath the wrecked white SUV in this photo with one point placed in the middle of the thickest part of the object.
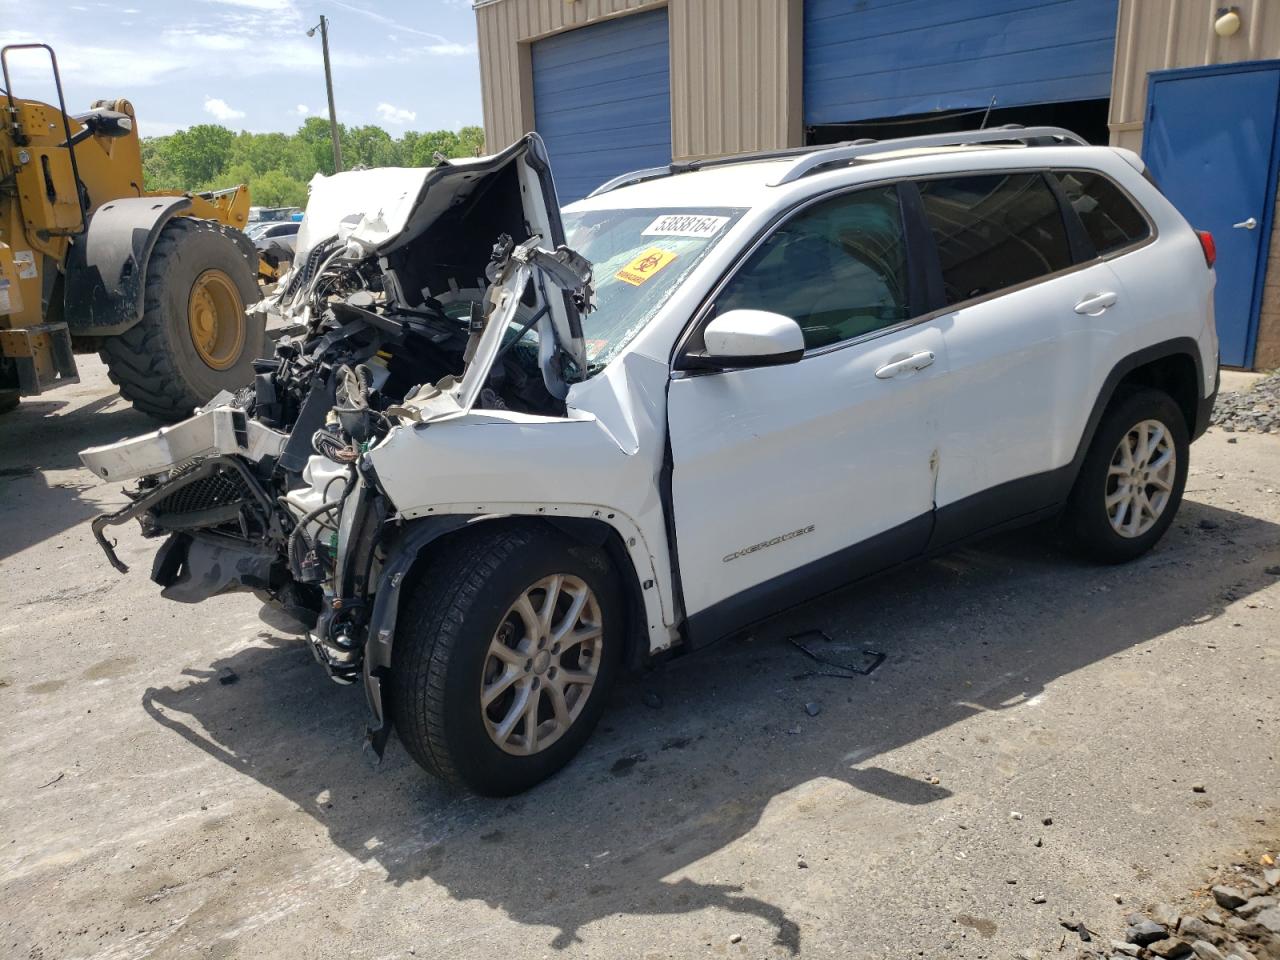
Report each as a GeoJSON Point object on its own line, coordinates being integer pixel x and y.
{"type": "Point", "coordinates": [660, 790]}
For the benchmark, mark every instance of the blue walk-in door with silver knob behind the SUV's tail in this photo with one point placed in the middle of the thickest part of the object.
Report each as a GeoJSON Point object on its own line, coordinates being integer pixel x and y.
{"type": "Point", "coordinates": [1212, 145]}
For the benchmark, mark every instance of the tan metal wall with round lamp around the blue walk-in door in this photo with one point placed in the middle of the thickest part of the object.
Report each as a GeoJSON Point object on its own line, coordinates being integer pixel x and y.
{"type": "Point", "coordinates": [1158, 35]}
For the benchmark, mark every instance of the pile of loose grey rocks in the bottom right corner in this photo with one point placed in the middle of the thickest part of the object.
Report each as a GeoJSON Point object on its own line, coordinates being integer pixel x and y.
{"type": "Point", "coordinates": [1245, 924]}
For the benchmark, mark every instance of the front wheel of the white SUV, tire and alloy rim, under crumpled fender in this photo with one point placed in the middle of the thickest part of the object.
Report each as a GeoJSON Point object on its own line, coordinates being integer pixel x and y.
{"type": "Point", "coordinates": [505, 659]}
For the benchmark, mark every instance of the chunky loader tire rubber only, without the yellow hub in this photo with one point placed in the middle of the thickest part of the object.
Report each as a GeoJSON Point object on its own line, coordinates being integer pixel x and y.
{"type": "Point", "coordinates": [156, 363]}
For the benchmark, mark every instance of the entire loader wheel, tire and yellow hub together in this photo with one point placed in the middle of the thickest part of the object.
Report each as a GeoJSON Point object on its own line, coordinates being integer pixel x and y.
{"type": "Point", "coordinates": [195, 339]}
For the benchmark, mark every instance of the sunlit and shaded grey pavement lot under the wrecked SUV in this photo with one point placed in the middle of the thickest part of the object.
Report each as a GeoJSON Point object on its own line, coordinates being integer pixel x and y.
{"type": "Point", "coordinates": [1043, 738]}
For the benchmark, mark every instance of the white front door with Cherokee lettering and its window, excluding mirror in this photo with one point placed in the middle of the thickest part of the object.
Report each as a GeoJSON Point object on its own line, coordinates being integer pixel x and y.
{"type": "Point", "coordinates": [792, 481]}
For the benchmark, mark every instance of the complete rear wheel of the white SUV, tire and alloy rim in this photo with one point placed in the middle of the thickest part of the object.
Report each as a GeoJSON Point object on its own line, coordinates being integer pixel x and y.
{"type": "Point", "coordinates": [1132, 482]}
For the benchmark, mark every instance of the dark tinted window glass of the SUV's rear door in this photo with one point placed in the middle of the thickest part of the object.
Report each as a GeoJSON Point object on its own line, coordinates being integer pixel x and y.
{"type": "Point", "coordinates": [995, 232]}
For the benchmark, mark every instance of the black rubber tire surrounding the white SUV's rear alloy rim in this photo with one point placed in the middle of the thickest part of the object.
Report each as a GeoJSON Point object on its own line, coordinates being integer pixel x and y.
{"type": "Point", "coordinates": [1087, 518]}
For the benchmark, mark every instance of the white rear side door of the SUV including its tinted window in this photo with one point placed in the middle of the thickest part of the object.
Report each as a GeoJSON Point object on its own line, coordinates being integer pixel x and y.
{"type": "Point", "coordinates": [1022, 336]}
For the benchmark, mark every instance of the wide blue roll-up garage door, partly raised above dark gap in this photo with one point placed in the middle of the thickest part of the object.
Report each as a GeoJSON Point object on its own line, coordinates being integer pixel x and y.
{"type": "Point", "coordinates": [880, 60]}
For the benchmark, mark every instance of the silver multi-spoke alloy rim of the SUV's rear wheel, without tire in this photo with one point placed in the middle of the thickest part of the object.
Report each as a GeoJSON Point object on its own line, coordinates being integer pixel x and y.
{"type": "Point", "coordinates": [1141, 478]}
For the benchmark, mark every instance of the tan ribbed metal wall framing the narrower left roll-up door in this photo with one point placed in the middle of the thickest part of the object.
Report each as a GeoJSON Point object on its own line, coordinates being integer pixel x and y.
{"type": "Point", "coordinates": [735, 68]}
